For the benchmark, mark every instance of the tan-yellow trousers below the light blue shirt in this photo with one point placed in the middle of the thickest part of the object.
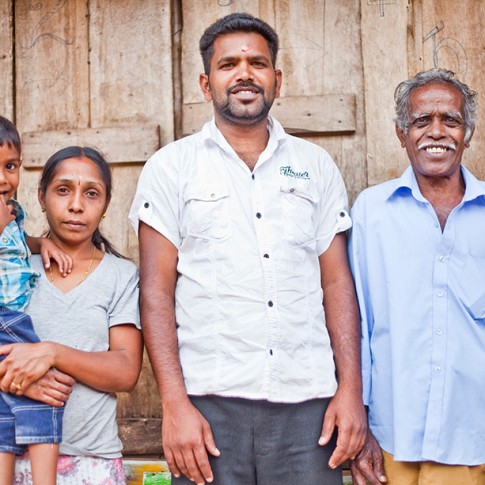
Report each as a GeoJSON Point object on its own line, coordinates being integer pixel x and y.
{"type": "Point", "coordinates": [431, 473]}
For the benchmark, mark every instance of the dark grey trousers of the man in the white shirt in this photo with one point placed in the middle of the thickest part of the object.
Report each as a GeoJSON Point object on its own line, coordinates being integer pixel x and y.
{"type": "Point", "coordinates": [263, 443]}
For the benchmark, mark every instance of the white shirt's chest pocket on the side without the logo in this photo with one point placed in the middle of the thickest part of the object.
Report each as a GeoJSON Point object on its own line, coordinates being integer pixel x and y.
{"type": "Point", "coordinates": [206, 212]}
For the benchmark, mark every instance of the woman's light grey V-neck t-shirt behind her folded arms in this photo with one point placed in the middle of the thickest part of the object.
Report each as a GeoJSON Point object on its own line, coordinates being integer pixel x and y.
{"type": "Point", "coordinates": [81, 319]}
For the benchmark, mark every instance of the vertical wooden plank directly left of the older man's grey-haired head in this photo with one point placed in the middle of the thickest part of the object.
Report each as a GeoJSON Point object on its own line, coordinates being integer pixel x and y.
{"type": "Point", "coordinates": [384, 50]}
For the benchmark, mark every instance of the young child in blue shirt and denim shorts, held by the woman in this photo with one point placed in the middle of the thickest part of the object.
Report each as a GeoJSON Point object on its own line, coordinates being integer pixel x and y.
{"type": "Point", "coordinates": [23, 421]}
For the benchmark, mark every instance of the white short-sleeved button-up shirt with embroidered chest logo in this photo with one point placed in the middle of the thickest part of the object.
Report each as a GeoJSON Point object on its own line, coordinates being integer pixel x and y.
{"type": "Point", "coordinates": [248, 297]}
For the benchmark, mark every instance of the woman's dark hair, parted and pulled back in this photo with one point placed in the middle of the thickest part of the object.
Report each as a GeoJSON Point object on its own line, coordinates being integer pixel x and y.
{"type": "Point", "coordinates": [51, 167]}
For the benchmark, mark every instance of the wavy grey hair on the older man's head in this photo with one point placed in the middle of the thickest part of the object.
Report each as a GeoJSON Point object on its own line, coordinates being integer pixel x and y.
{"type": "Point", "coordinates": [403, 92]}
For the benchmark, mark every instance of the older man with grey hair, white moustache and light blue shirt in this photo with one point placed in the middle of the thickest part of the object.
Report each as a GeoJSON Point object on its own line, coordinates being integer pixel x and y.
{"type": "Point", "coordinates": [418, 256]}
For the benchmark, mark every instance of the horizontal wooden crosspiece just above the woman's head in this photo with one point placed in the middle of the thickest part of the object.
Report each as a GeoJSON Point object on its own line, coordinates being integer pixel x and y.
{"type": "Point", "coordinates": [120, 144]}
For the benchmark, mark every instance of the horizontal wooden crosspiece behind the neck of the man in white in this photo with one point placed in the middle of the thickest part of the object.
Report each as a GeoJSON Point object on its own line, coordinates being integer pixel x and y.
{"type": "Point", "coordinates": [310, 115]}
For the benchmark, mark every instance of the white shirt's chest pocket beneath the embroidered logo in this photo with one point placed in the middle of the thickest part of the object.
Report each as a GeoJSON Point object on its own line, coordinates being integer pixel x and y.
{"type": "Point", "coordinates": [299, 207]}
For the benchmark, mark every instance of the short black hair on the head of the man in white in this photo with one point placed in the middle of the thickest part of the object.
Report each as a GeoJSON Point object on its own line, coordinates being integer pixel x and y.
{"type": "Point", "coordinates": [235, 23]}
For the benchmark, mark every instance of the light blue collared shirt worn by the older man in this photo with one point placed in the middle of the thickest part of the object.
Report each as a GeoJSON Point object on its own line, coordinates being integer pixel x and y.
{"type": "Point", "coordinates": [422, 301]}
